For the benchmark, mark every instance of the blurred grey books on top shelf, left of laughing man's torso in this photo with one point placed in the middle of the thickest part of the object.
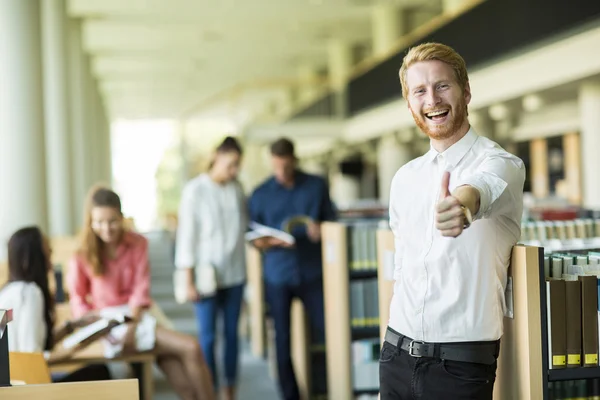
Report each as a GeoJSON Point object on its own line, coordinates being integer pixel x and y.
{"type": "Point", "coordinates": [362, 249]}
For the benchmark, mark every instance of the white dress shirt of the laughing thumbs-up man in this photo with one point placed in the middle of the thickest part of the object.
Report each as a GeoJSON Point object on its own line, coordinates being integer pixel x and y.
{"type": "Point", "coordinates": [452, 289]}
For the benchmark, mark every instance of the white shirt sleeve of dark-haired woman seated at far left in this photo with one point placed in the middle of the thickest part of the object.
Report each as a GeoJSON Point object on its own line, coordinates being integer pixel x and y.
{"type": "Point", "coordinates": [31, 322]}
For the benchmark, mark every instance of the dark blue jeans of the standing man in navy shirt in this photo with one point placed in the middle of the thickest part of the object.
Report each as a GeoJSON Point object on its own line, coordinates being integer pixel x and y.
{"type": "Point", "coordinates": [279, 298]}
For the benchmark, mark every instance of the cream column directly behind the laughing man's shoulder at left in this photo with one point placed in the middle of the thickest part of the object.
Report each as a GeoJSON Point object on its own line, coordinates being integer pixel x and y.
{"type": "Point", "coordinates": [391, 155]}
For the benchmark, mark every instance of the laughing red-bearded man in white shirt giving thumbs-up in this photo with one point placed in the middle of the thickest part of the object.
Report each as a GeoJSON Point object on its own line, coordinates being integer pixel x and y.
{"type": "Point", "coordinates": [455, 213]}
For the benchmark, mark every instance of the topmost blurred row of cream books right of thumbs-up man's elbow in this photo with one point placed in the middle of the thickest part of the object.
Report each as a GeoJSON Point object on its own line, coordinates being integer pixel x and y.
{"type": "Point", "coordinates": [561, 230]}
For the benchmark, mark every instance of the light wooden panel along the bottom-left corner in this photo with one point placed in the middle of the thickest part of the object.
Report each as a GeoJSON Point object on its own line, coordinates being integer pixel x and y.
{"type": "Point", "coordinates": [126, 389]}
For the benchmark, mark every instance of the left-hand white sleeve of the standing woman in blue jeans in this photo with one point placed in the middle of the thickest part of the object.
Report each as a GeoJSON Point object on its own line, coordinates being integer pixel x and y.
{"type": "Point", "coordinates": [187, 231]}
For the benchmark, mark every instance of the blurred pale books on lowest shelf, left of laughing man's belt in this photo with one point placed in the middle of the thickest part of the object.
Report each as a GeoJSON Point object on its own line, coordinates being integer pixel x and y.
{"type": "Point", "coordinates": [365, 364]}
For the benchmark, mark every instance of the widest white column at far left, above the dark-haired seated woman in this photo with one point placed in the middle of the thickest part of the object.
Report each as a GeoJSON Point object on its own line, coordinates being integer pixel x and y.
{"type": "Point", "coordinates": [22, 147]}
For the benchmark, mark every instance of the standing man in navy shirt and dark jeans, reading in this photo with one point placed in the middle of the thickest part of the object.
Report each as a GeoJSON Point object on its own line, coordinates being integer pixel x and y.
{"type": "Point", "coordinates": [291, 270]}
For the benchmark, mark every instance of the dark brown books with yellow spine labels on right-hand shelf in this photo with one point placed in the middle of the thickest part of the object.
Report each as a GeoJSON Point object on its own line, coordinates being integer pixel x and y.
{"type": "Point", "coordinates": [572, 300]}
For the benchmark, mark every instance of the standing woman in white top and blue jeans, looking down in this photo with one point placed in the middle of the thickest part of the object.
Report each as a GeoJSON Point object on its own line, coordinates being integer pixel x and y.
{"type": "Point", "coordinates": [211, 252]}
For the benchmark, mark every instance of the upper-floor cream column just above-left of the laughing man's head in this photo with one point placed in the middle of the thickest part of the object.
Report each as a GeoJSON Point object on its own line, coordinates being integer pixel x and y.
{"type": "Point", "coordinates": [386, 28]}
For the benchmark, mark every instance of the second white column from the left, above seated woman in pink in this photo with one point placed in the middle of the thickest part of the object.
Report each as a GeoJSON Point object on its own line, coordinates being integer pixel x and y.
{"type": "Point", "coordinates": [56, 107]}
